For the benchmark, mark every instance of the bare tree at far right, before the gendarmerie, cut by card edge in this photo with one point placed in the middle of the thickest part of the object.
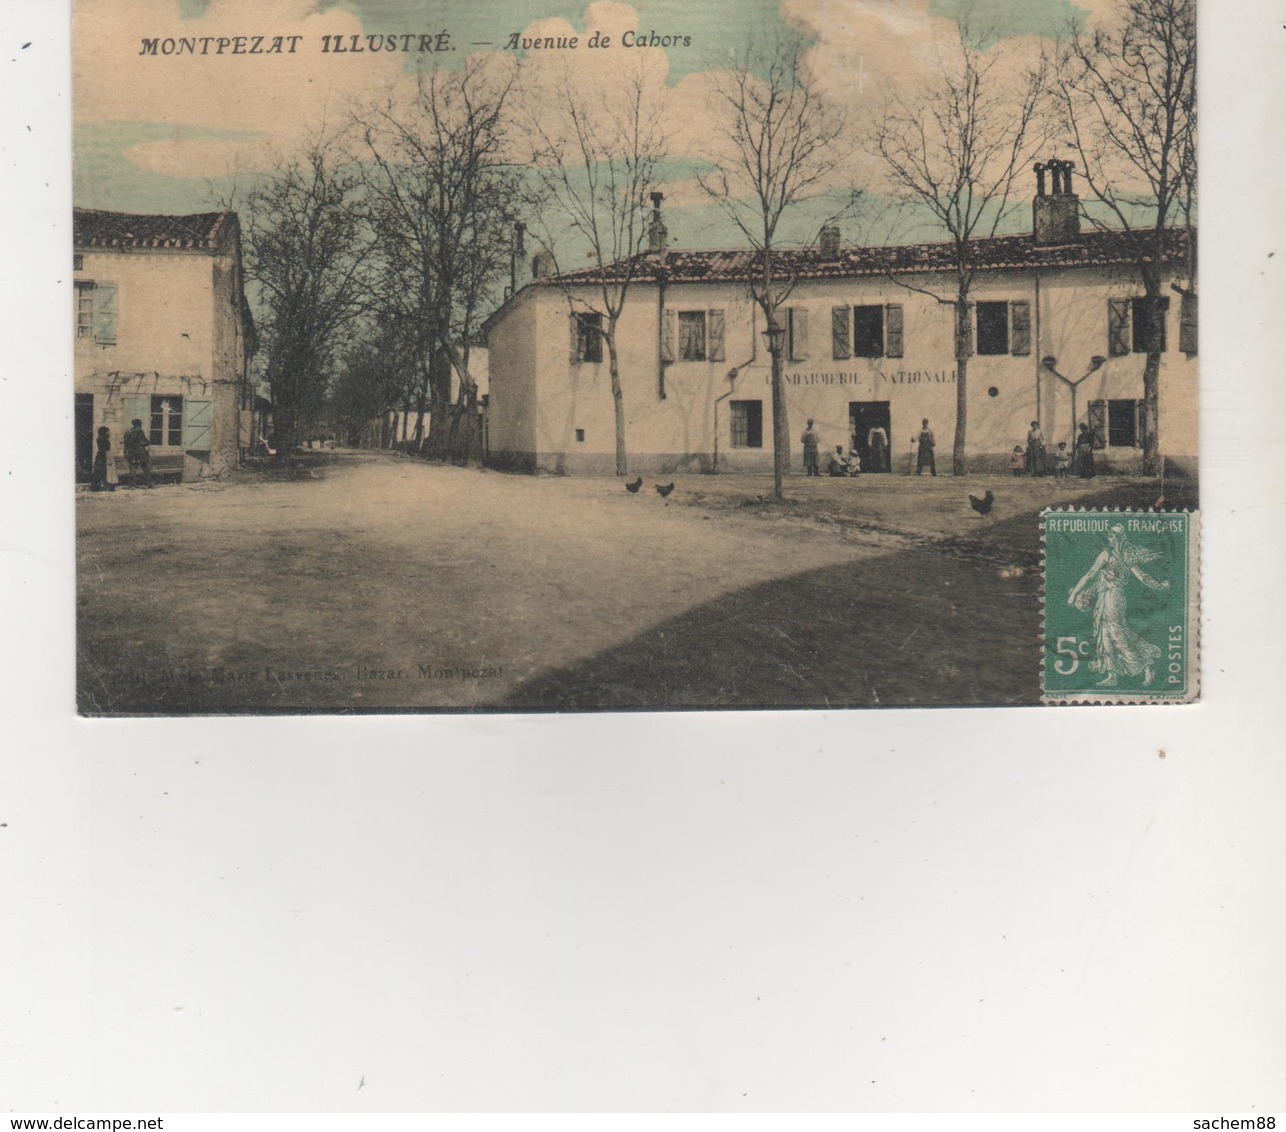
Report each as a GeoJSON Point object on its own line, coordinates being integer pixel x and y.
{"type": "Point", "coordinates": [1128, 98]}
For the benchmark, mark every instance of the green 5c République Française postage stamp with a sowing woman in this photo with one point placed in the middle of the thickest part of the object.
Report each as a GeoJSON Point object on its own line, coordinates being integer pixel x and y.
{"type": "Point", "coordinates": [1121, 608]}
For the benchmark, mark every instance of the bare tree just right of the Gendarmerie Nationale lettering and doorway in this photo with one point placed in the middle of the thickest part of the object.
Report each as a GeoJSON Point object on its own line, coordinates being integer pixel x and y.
{"type": "Point", "coordinates": [957, 151]}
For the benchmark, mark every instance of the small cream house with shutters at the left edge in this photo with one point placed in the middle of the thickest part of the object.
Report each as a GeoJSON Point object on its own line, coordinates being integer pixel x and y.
{"type": "Point", "coordinates": [164, 335]}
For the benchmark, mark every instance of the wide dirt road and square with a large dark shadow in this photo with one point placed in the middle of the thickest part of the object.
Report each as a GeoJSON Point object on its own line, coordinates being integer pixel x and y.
{"type": "Point", "coordinates": [381, 583]}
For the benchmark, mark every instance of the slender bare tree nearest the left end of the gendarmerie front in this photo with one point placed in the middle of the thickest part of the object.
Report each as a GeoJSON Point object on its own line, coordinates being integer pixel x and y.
{"type": "Point", "coordinates": [596, 159]}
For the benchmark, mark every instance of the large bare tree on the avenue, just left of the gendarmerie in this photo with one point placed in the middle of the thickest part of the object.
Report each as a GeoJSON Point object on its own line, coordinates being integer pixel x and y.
{"type": "Point", "coordinates": [442, 196]}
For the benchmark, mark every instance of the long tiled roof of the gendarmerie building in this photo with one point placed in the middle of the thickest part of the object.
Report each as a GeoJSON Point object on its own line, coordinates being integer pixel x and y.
{"type": "Point", "coordinates": [1005, 253]}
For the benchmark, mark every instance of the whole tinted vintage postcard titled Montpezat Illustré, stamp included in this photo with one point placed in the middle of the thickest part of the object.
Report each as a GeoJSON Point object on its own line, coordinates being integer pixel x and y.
{"type": "Point", "coordinates": [626, 357]}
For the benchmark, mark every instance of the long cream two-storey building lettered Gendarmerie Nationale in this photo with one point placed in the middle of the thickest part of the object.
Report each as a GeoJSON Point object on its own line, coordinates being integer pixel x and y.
{"type": "Point", "coordinates": [869, 345]}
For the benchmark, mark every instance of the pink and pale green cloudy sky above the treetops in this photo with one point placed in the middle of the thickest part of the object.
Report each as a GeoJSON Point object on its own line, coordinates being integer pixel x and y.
{"type": "Point", "coordinates": [152, 134]}
